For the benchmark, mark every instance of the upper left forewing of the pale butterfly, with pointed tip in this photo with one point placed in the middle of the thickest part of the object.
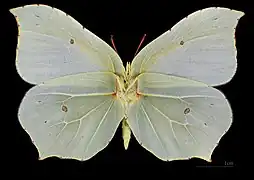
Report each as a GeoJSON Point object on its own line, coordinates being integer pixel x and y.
{"type": "Point", "coordinates": [52, 44]}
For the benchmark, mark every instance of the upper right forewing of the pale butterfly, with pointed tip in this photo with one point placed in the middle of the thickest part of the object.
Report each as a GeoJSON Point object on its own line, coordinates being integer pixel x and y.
{"type": "Point", "coordinates": [200, 47]}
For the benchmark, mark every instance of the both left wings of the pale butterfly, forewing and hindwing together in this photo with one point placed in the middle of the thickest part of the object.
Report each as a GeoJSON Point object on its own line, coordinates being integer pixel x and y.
{"type": "Point", "coordinates": [72, 111]}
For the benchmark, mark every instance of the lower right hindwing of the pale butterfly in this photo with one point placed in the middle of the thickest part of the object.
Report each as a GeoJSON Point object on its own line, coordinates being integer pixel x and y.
{"type": "Point", "coordinates": [177, 118]}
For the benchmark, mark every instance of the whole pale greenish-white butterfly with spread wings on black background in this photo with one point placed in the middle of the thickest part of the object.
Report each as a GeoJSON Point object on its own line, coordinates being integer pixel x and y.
{"type": "Point", "coordinates": [165, 97]}
